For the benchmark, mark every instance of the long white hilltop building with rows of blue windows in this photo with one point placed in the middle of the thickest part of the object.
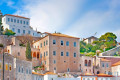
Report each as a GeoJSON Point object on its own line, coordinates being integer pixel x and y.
{"type": "Point", "coordinates": [18, 24]}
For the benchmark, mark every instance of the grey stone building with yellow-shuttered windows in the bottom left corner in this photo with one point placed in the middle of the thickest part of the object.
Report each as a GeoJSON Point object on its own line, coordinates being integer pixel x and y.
{"type": "Point", "coordinates": [15, 69]}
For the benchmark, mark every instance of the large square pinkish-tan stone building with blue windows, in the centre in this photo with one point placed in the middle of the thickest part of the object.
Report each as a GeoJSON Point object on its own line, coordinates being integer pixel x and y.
{"type": "Point", "coordinates": [59, 53]}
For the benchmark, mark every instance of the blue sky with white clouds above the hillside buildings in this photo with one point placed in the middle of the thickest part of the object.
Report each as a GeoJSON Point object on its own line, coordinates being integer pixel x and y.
{"type": "Point", "coordinates": [80, 18]}
